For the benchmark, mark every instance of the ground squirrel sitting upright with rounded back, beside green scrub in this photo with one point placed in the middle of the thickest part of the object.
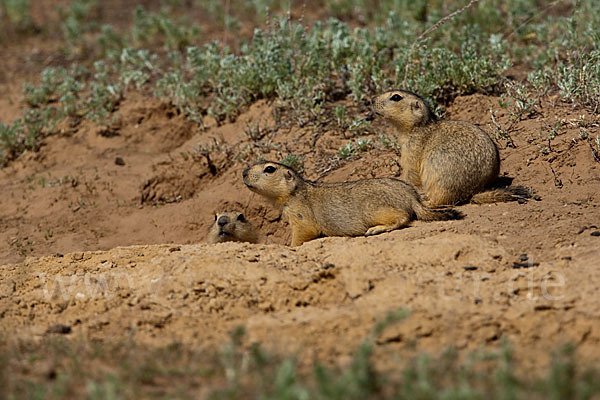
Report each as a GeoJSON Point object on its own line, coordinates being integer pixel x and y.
{"type": "Point", "coordinates": [453, 161]}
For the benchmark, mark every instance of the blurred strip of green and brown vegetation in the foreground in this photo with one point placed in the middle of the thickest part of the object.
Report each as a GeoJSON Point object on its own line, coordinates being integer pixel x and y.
{"type": "Point", "coordinates": [55, 368]}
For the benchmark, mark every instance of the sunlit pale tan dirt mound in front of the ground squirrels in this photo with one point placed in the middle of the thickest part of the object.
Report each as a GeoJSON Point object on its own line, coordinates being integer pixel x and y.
{"type": "Point", "coordinates": [317, 301]}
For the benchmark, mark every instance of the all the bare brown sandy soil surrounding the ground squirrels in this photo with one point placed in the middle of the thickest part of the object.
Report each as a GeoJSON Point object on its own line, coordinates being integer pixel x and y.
{"type": "Point", "coordinates": [104, 233]}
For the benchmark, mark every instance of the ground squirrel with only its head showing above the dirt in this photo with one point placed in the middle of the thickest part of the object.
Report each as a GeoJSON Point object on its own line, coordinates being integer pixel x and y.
{"type": "Point", "coordinates": [231, 227]}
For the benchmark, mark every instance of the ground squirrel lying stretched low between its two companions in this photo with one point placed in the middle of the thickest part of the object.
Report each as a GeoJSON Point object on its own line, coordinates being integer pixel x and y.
{"type": "Point", "coordinates": [364, 207]}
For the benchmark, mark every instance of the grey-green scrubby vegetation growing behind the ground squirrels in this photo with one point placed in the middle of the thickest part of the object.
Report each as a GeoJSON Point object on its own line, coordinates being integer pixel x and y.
{"type": "Point", "coordinates": [306, 67]}
